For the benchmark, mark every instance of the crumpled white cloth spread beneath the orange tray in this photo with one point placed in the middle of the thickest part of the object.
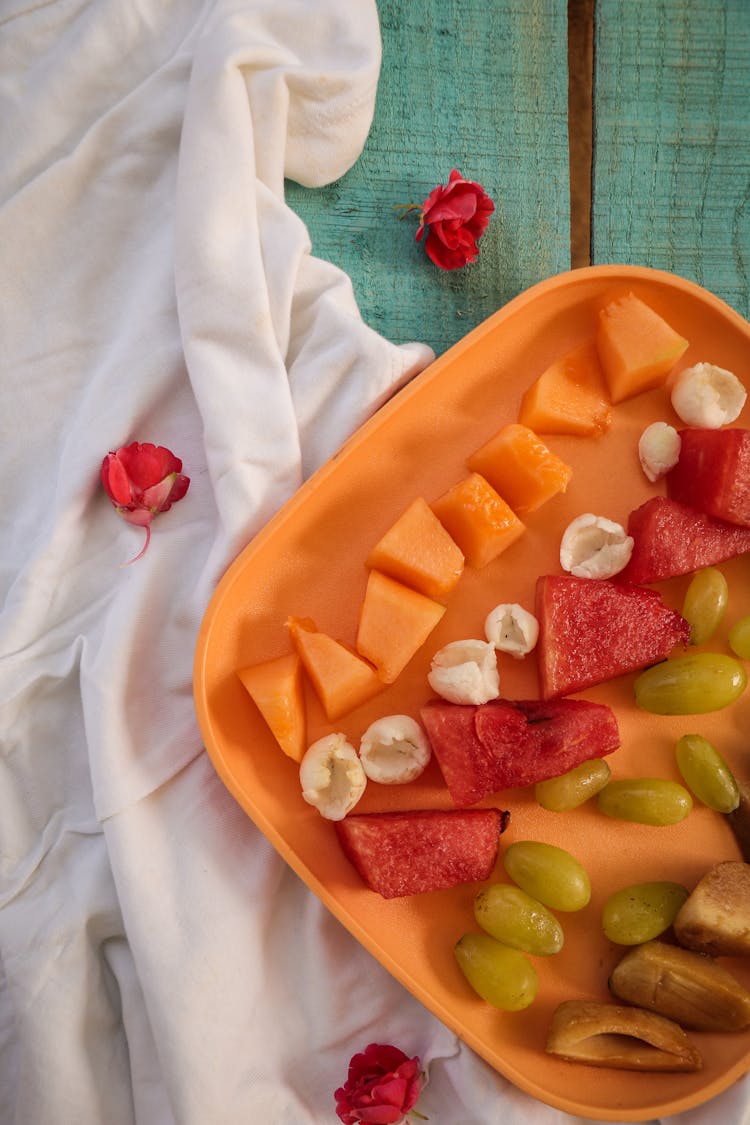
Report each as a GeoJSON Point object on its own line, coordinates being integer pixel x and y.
{"type": "Point", "coordinates": [159, 962]}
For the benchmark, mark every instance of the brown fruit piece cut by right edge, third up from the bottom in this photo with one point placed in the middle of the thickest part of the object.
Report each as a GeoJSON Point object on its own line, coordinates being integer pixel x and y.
{"type": "Point", "coordinates": [716, 919]}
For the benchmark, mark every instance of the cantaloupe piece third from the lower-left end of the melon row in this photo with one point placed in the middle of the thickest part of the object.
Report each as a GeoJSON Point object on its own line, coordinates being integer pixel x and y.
{"type": "Point", "coordinates": [395, 623]}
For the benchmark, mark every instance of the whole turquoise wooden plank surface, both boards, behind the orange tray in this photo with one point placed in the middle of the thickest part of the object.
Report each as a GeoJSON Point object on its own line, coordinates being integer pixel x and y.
{"type": "Point", "coordinates": [483, 86]}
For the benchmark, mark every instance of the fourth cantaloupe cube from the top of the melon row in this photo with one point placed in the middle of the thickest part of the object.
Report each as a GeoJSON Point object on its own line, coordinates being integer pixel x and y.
{"type": "Point", "coordinates": [478, 519]}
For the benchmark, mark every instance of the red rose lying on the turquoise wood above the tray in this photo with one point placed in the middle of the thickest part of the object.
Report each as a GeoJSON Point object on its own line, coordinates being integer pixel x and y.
{"type": "Point", "coordinates": [455, 218]}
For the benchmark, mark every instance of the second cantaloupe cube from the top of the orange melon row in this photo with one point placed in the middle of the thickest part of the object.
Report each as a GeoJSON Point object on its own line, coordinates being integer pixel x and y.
{"type": "Point", "coordinates": [570, 397]}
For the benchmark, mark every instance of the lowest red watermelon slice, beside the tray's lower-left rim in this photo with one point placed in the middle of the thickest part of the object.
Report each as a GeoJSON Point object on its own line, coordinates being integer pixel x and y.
{"type": "Point", "coordinates": [422, 850]}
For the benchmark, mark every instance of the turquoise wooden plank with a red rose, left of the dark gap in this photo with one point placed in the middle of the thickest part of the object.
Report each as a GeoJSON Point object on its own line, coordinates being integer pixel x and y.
{"type": "Point", "coordinates": [482, 86]}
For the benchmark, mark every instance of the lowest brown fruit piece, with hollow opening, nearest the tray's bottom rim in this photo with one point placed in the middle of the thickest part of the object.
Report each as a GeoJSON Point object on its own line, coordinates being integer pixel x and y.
{"type": "Point", "coordinates": [613, 1036]}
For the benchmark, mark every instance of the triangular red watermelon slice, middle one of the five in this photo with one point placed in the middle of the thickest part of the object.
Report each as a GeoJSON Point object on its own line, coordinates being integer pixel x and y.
{"type": "Point", "coordinates": [594, 629]}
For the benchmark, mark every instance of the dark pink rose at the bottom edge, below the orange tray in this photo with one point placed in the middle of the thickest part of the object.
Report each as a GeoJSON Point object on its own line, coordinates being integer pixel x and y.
{"type": "Point", "coordinates": [383, 1086]}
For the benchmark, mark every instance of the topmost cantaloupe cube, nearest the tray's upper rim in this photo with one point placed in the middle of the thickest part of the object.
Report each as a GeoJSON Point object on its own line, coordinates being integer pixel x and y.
{"type": "Point", "coordinates": [637, 347]}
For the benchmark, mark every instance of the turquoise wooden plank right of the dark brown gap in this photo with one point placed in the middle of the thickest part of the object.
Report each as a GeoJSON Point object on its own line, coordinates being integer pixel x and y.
{"type": "Point", "coordinates": [672, 151]}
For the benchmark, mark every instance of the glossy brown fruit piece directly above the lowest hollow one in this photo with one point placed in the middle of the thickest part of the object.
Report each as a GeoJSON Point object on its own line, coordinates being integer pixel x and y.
{"type": "Point", "coordinates": [684, 986]}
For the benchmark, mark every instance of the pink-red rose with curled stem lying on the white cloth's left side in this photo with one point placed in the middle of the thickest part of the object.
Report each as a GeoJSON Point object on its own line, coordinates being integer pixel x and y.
{"type": "Point", "coordinates": [143, 481]}
